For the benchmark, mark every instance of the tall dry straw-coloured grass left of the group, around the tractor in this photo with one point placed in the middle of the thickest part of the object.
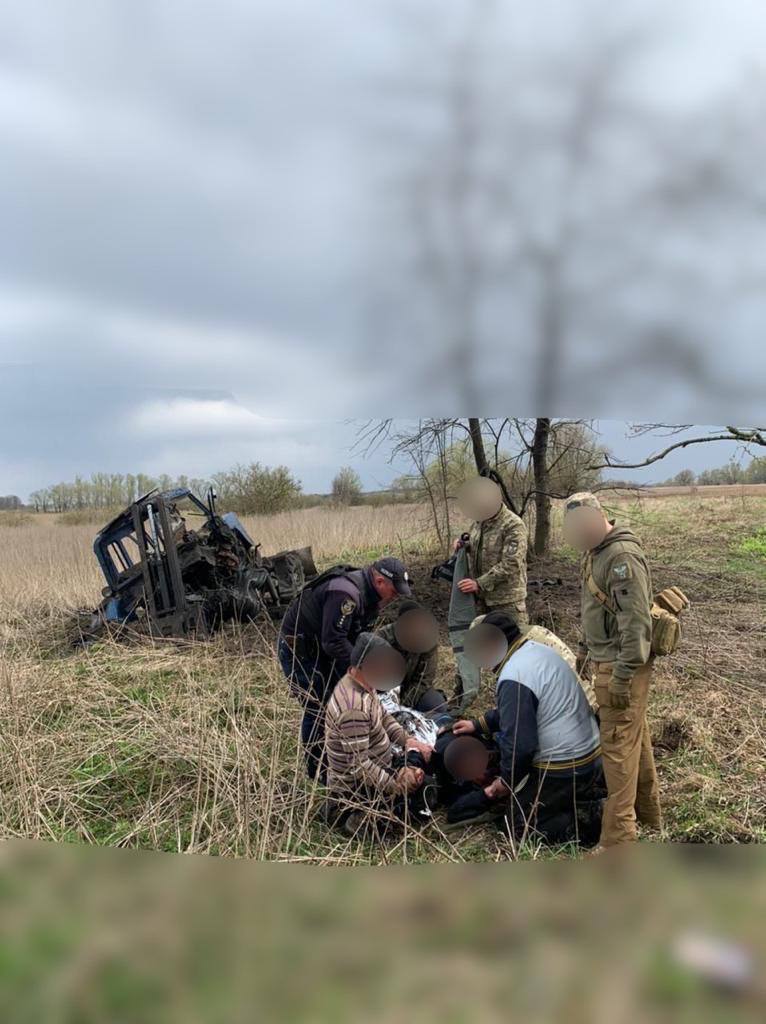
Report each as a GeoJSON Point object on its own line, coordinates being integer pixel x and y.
{"type": "Point", "coordinates": [181, 747]}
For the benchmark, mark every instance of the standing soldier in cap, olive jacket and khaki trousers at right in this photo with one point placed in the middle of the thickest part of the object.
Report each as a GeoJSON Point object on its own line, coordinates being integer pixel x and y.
{"type": "Point", "coordinates": [617, 599]}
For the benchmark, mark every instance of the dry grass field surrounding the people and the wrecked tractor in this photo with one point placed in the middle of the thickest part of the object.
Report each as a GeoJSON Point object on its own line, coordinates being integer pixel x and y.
{"type": "Point", "coordinates": [192, 747]}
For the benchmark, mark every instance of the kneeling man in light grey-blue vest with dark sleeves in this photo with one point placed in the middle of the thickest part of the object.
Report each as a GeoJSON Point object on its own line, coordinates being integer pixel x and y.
{"type": "Point", "coordinates": [550, 777]}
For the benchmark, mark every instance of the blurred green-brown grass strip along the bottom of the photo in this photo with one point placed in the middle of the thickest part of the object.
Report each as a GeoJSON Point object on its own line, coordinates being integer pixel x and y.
{"type": "Point", "coordinates": [661, 934]}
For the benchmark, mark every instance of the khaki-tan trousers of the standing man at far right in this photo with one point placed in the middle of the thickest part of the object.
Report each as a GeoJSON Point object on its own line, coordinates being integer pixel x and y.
{"type": "Point", "coordinates": [628, 761]}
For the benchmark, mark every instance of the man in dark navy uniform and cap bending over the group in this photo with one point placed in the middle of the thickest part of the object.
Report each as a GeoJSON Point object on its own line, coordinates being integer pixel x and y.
{"type": "Point", "coordinates": [318, 635]}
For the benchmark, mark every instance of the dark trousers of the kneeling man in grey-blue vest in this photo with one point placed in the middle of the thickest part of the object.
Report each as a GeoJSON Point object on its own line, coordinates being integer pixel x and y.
{"type": "Point", "coordinates": [561, 807]}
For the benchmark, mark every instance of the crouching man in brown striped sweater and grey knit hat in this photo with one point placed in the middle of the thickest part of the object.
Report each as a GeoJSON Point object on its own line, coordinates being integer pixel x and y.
{"type": "Point", "coordinates": [376, 773]}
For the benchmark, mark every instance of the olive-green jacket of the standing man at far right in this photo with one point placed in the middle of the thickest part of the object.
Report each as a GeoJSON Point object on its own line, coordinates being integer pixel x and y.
{"type": "Point", "coordinates": [620, 570]}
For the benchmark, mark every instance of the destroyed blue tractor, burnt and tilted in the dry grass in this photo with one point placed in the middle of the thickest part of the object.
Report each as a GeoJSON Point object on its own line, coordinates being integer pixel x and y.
{"type": "Point", "coordinates": [176, 568]}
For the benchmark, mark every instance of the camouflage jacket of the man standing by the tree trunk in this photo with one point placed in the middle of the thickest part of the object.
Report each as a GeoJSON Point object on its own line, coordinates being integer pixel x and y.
{"type": "Point", "coordinates": [497, 557]}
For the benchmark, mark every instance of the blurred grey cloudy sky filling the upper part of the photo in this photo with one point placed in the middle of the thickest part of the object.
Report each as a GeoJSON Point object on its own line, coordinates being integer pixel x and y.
{"type": "Point", "coordinates": [208, 196]}
